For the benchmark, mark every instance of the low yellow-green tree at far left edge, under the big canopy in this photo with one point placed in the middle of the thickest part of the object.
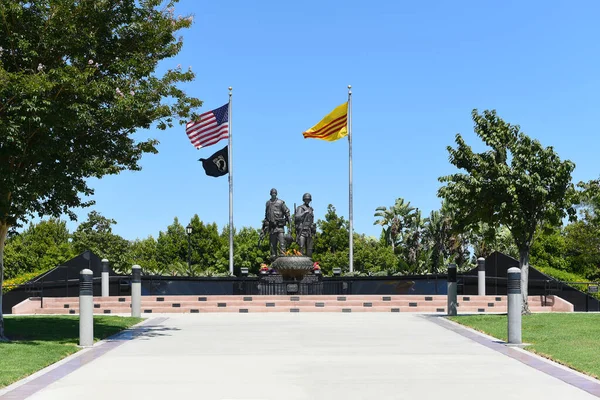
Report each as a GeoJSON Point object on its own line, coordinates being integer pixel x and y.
{"type": "Point", "coordinates": [40, 247]}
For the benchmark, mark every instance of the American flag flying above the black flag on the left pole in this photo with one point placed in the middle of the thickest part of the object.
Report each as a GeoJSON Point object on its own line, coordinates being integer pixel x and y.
{"type": "Point", "coordinates": [210, 128]}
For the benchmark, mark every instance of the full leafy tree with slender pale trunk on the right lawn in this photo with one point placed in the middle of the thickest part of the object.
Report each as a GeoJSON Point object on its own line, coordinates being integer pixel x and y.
{"type": "Point", "coordinates": [517, 183]}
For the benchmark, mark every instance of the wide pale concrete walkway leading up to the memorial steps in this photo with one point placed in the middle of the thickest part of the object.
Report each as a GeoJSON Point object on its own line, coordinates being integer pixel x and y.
{"type": "Point", "coordinates": [303, 356]}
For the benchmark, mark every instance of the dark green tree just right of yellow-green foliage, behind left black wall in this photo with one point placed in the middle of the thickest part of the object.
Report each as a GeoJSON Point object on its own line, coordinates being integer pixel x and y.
{"type": "Point", "coordinates": [95, 234]}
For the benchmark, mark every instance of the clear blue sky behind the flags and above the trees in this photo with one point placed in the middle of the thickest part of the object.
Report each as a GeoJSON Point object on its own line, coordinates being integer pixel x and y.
{"type": "Point", "coordinates": [417, 70]}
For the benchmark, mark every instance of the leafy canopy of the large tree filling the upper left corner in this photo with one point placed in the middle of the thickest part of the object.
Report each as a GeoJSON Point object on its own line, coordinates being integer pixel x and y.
{"type": "Point", "coordinates": [77, 79]}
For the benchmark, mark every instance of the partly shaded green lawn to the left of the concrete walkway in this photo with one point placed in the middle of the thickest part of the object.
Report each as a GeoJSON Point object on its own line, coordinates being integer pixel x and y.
{"type": "Point", "coordinates": [39, 341]}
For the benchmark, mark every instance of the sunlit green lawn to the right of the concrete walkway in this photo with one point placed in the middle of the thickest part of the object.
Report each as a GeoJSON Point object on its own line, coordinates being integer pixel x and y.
{"type": "Point", "coordinates": [570, 339]}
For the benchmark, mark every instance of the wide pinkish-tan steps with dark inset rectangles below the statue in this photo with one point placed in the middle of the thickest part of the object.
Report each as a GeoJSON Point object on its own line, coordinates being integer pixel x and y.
{"type": "Point", "coordinates": [331, 303]}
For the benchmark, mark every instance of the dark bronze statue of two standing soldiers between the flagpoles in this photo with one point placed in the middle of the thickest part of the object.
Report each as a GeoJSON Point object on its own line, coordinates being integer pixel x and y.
{"type": "Point", "coordinates": [277, 217]}
